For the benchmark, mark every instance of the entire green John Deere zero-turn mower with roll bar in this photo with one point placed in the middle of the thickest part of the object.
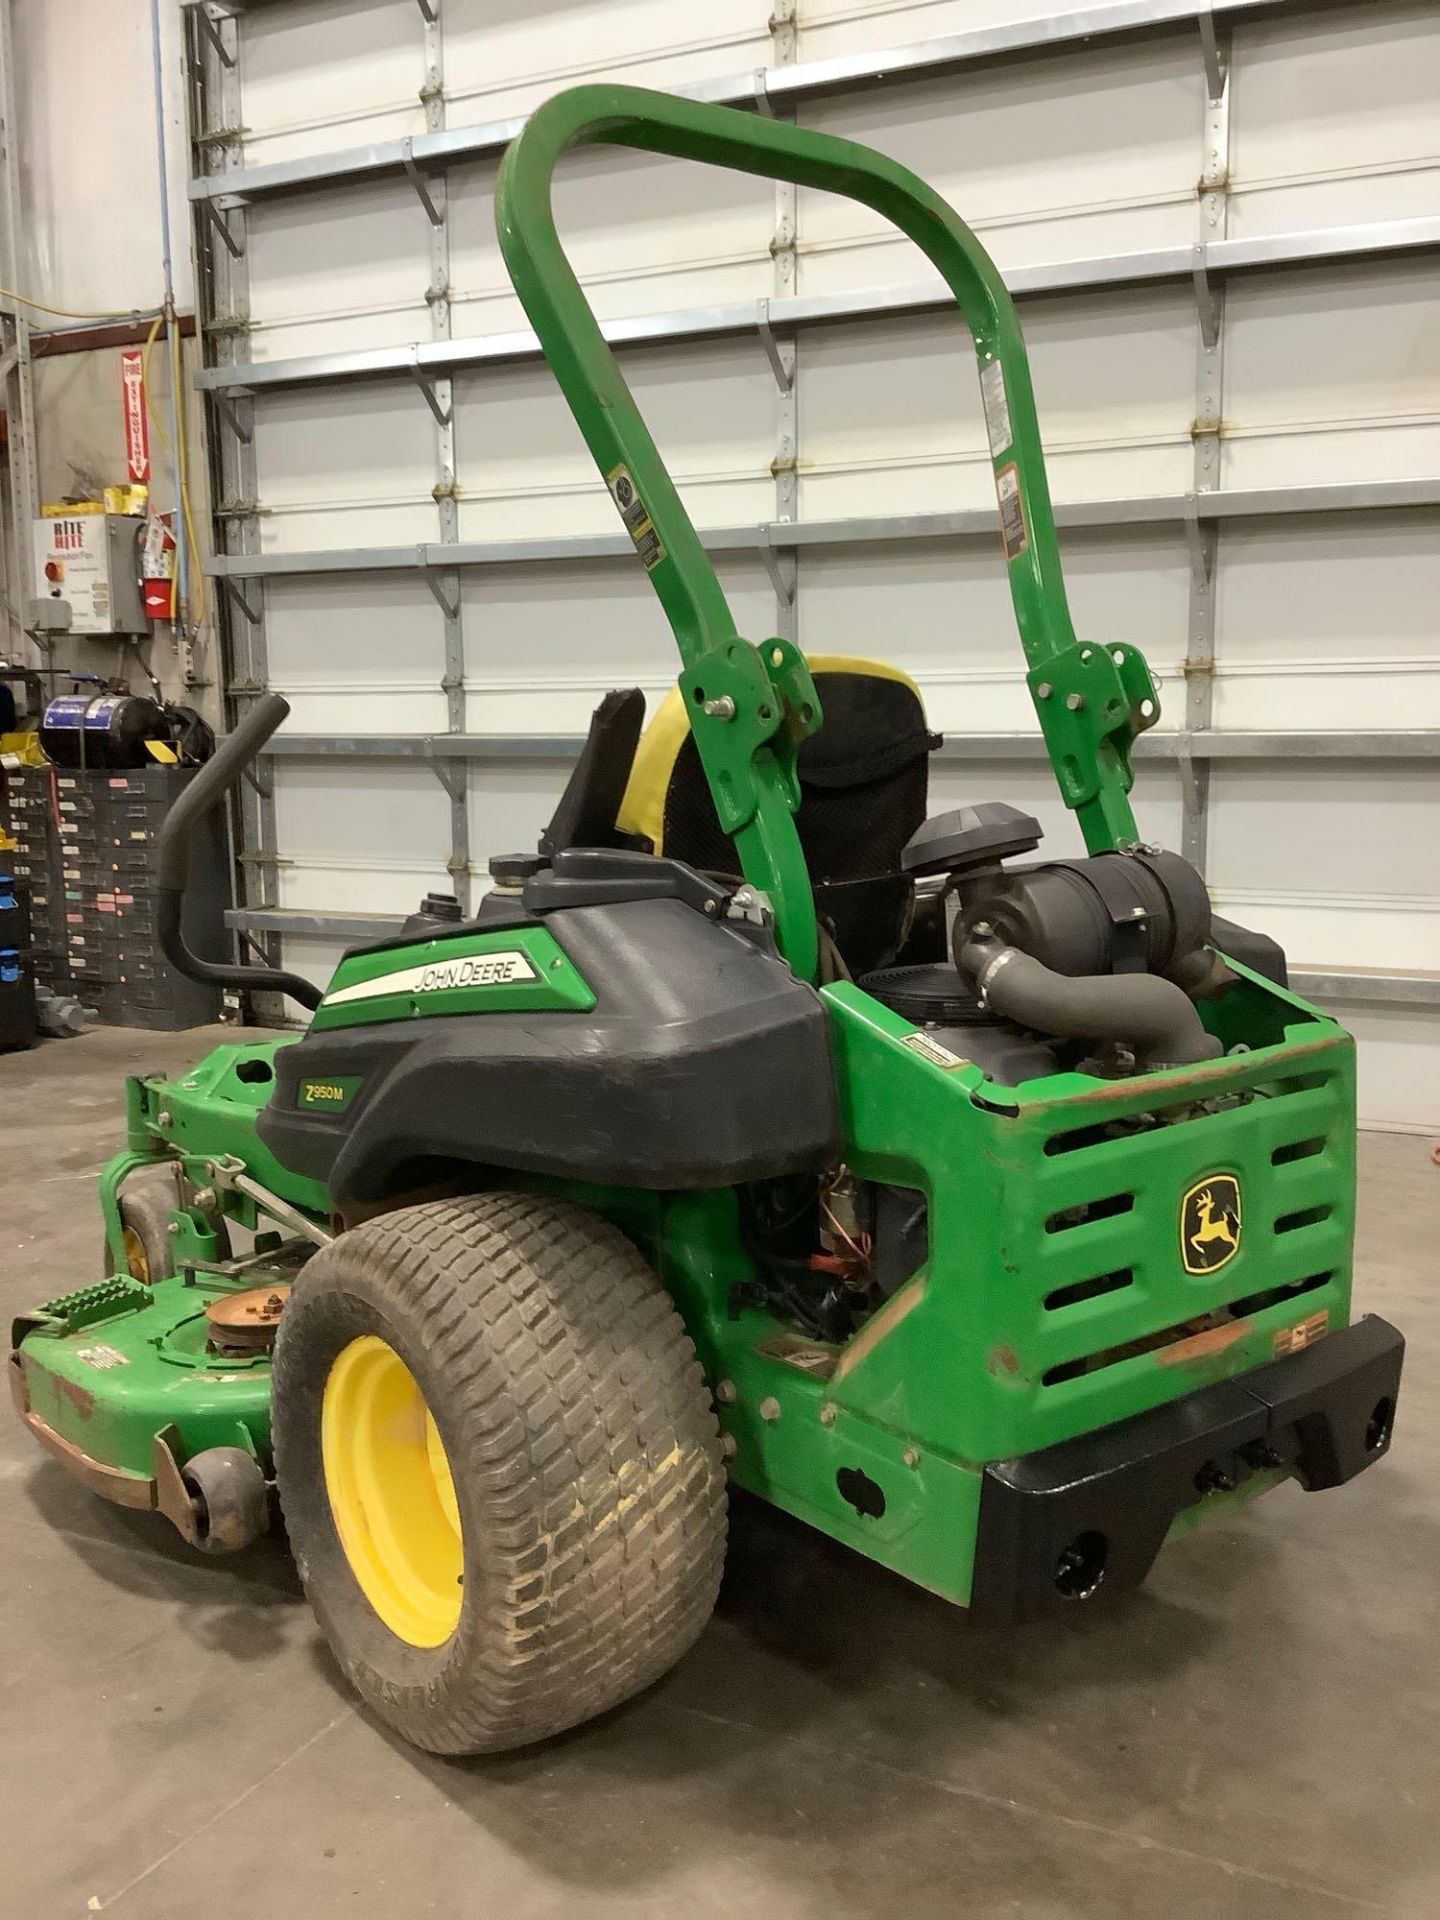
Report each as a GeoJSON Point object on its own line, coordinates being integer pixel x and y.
{"type": "Point", "coordinates": [992, 1214]}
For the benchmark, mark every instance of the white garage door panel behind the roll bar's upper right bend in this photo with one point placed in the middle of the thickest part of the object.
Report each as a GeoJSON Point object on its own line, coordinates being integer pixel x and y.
{"type": "Point", "coordinates": [1053, 158]}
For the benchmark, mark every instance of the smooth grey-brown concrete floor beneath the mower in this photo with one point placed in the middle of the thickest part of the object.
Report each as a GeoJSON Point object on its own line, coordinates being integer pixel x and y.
{"type": "Point", "coordinates": [1255, 1735]}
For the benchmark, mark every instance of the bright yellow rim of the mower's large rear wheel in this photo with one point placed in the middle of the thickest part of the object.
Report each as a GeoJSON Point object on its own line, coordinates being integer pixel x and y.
{"type": "Point", "coordinates": [393, 1495]}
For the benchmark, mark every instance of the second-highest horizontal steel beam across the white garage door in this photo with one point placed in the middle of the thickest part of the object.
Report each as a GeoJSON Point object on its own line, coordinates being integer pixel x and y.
{"type": "Point", "coordinates": [786, 312]}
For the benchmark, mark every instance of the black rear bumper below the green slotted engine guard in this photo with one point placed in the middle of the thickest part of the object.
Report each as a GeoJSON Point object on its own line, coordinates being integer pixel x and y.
{"type": "Point", "coordinates": [1092, 1514]}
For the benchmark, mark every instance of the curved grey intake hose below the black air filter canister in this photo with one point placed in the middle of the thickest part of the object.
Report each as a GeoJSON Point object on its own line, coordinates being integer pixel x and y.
{"type": "Point", "coordinates": [1141, 1011]}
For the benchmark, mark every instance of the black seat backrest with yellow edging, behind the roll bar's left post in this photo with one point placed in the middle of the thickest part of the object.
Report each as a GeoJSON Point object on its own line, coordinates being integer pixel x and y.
{"type": "Point", "coordinates": [863, 794]}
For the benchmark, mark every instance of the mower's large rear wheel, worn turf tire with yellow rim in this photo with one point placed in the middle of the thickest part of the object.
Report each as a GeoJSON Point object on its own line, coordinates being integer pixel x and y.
{"type": "Point", "coordinates": [583, 1451]}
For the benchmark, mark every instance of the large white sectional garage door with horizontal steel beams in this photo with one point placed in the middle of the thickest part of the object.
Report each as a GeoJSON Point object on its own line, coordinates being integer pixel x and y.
{"type": "Point", "coordinates": [1224, 226]}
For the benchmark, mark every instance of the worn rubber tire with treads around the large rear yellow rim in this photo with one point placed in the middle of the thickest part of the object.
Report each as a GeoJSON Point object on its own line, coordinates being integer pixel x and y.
{"type": "Point", "coordinates": [571, 1393]}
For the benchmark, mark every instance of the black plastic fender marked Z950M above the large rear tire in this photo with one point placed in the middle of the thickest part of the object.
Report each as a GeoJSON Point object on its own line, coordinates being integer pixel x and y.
{"type": "Point", "coordinates": [702, 1065]}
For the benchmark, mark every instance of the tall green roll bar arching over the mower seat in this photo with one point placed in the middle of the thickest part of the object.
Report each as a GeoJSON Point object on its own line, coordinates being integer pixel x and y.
{"type": "Point", "coordinates": [752, 708]}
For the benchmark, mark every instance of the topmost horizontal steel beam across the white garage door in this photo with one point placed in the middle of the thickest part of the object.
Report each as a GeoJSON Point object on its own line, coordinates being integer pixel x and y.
{"type": "Point", "coordinates": [782, 87]}
